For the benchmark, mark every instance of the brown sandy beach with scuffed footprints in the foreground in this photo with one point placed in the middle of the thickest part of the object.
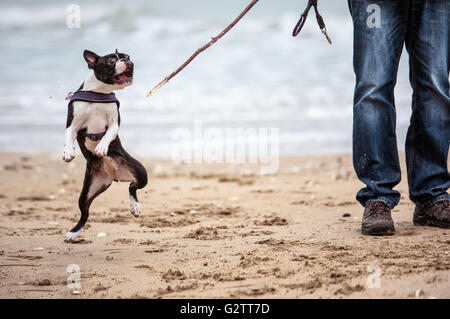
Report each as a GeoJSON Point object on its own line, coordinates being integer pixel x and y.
{"type": "Point", "coordinates": [211, 231]}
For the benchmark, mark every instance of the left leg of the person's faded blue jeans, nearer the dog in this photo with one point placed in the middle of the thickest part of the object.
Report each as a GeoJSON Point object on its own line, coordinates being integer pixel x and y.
{"type": "Point", "coordinates": [377, 50]}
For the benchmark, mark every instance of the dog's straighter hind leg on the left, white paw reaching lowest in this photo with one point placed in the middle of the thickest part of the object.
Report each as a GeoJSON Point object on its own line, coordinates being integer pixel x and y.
{"type": "Point", "coordinates": [95, 183]}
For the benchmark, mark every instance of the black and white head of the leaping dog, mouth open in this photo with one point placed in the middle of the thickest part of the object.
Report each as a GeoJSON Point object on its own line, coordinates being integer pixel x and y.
{"type": "Point", "coordinates": [112, 69]}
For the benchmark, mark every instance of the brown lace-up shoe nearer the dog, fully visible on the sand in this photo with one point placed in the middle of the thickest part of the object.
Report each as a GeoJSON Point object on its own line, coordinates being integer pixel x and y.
{"type": "Point", "coordinates": [377, 219]}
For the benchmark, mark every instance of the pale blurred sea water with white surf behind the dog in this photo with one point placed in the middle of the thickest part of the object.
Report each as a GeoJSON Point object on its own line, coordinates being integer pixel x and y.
{"type": "Point", "coordinates": [256, 76]}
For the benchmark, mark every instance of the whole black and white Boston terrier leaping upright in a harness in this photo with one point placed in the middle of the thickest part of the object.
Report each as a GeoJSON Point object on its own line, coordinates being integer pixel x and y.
{"type": "Point", "coordinates": [93, 120]}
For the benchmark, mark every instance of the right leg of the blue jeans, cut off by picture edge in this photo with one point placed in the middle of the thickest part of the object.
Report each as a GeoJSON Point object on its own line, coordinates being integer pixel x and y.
{"type": "Point", "coordinates": [428, 138]}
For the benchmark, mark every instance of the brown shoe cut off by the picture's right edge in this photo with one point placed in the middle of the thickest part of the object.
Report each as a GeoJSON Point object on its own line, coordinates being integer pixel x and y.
{"type": "Point", "coordinates": [437, 215]}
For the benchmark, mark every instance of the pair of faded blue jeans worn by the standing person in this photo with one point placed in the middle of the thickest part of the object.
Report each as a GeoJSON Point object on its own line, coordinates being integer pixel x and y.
{"type": "Point", "coordinates": [381, 28]}
